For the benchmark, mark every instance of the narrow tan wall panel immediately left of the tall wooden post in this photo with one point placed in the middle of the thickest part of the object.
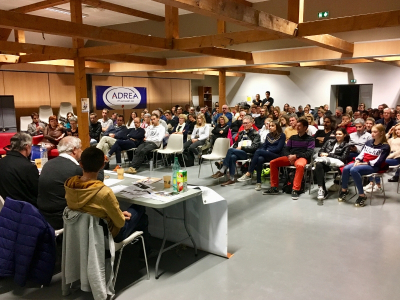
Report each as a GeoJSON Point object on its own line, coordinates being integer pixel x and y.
{"type": "Point", "coordinates": [62, 89]}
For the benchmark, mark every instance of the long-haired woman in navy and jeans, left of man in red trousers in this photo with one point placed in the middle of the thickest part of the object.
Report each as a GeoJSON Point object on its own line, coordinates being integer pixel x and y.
{"type": "Point", "coordinates": [270, 149]}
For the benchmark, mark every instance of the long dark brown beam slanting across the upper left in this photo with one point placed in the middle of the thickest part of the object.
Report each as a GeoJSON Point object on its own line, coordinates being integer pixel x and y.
{"type": "Point", "coordinates": [20, 21]}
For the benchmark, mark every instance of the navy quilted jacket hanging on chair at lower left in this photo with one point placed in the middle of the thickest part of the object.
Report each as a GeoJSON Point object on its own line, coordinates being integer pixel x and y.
{"type": "Point", "coordinates": [27, 243]}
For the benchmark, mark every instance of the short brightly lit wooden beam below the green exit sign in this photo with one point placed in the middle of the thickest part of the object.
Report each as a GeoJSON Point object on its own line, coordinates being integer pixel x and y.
{"type": "Point", "coordinates": [330, 42]}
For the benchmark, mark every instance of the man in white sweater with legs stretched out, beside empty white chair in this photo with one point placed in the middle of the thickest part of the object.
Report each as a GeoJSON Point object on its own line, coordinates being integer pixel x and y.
{"type": "Point", "coordinates": [153, 139]}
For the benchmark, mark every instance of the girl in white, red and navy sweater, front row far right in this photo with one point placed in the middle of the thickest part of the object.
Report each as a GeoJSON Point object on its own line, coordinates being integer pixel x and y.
{"type": "Point", "coordinates": [370, 160]}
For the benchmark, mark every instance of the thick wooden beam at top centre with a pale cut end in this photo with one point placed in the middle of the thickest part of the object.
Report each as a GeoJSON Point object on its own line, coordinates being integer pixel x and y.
{"type": "Point", "coordinates": [234, 12]}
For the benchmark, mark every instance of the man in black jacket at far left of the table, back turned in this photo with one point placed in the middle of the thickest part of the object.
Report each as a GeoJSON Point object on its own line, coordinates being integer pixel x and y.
{"type": "Point", "coordinates": [19, 177]}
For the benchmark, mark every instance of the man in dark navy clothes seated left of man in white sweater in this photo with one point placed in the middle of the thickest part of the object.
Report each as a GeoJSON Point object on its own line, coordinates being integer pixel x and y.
{"type": "Point", "coordinates": [133, 139]}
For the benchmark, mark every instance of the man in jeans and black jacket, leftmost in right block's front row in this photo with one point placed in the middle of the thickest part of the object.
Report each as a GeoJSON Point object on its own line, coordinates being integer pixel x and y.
{"type": "Point", "coordinates": [248, 142]}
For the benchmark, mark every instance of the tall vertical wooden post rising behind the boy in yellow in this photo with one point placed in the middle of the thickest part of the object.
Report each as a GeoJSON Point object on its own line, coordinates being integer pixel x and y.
{"type": "Point", "coordinates": [80, 77]}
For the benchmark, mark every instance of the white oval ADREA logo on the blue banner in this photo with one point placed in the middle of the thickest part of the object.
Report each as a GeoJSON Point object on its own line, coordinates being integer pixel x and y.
{"type": "Point", "coordinates": [128, 97]}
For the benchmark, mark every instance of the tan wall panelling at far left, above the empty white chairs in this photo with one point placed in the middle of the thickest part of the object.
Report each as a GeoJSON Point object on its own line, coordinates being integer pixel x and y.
{"type": "Point", "coordinates": [30, 90]}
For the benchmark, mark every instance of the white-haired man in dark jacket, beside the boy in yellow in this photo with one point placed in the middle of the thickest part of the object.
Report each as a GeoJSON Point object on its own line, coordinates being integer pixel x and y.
{"type": "Point", "coordinates": [51, 198]}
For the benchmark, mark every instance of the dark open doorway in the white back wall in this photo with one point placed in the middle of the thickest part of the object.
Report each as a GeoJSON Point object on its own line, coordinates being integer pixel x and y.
{"type": "Point", "coordinates": [351, 95]}
